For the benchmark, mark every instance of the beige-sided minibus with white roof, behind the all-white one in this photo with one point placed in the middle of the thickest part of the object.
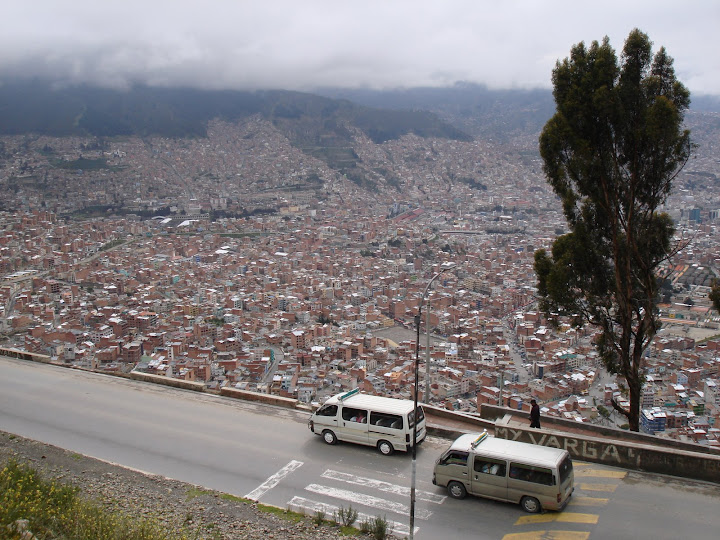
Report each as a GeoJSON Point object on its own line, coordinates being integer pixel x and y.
{"type": "Point", "coordinates": [536, 477]}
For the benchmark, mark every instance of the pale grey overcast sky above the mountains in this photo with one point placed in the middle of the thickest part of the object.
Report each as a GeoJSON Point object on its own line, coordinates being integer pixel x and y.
{"type": "Point", "coordinates": [302, 44]}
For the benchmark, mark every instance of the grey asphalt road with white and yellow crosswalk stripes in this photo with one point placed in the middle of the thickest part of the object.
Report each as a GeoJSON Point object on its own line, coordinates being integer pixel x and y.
{"type": "Point", "coordinates": [268, 454]}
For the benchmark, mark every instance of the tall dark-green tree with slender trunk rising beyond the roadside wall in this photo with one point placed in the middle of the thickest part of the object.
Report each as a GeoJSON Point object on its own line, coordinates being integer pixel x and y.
{"type": "Point", "coordinates": [611, 153]}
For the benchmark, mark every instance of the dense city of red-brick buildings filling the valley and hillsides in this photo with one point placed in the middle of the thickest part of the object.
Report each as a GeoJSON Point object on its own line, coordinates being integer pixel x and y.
{"type": "Point", "coordinates": [239, 260]}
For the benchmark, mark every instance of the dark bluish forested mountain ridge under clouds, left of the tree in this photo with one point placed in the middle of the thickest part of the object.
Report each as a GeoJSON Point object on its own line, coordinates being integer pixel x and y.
{"type": "Point", "coordinates": [35, 107]}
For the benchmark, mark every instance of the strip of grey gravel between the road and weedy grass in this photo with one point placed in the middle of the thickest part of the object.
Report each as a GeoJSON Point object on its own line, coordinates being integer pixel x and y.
{"type": "Point", "coordinates": [209, 514]}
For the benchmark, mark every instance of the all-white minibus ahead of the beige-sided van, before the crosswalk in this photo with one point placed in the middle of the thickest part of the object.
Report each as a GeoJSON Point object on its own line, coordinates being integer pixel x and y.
{"type": "Point", "coordinates": [383, 422]}
